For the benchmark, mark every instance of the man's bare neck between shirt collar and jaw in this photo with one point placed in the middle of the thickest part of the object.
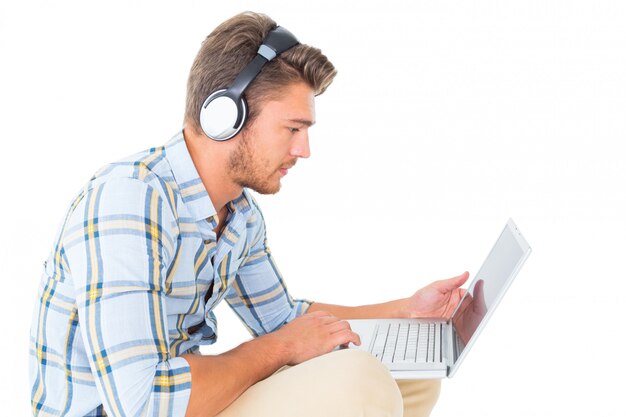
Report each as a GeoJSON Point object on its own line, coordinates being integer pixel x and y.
{"type": "Point", "coordinates": [211, 161]}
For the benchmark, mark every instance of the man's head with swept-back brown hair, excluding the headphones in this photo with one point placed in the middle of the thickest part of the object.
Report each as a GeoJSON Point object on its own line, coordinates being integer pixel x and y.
{"type": "Point", "coordinates": [280, 100]}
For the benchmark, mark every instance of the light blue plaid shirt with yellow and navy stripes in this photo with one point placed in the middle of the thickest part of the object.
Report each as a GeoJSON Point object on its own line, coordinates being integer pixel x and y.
{"type": "Point", "coordinates": [125, 290]}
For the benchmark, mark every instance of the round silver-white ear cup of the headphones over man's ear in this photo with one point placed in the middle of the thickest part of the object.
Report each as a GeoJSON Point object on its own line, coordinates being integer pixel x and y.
{"type": "Point", "coordinates": [221, 117]}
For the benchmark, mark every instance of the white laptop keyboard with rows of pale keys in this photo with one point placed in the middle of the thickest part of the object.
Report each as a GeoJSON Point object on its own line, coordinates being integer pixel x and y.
{"type": "Point", "coordinates": [408, 343]}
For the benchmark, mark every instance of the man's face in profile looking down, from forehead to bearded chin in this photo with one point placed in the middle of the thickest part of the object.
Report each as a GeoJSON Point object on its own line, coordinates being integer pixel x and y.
{"type": "Point", "coordinates": [274, 141]}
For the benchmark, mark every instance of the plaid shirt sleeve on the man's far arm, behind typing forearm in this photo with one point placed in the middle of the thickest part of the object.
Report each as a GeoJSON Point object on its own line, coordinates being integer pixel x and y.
{"type": "Point", "coordinates": [259, 295]}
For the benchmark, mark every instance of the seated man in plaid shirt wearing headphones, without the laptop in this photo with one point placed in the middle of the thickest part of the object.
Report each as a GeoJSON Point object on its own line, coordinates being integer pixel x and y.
{"type": "Point", "coordinates": [154, 242]}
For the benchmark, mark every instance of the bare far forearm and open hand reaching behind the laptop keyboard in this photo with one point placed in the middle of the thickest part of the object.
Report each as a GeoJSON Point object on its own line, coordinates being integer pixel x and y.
{"type": "Point", "coordinates": [438, 299]}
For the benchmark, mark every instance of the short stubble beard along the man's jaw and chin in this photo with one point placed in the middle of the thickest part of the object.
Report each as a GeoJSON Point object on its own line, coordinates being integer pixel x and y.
{"type": "Point", "coordinates": [247, 171]}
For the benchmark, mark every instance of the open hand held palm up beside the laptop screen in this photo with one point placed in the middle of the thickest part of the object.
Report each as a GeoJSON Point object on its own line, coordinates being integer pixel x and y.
{"type": "Point", "coordinates": [437, 300]}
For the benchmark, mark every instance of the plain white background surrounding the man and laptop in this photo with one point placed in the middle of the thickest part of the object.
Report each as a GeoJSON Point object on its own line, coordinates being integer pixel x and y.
{"type": "Point", "coordinates": [446, 119]}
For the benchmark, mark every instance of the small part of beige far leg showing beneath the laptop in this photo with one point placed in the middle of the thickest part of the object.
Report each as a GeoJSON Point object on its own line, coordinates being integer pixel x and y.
{"type": "Point", "coordinates": [419, 396]}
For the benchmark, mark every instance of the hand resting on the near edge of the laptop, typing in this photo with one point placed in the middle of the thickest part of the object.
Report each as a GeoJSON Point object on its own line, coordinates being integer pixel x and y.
{"type": "Point", "coordinates": [314, 334]}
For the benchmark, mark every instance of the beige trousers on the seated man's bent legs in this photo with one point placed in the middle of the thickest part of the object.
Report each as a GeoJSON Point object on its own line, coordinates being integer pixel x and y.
{"type": "Point", "coordinates": [342, 383]}
